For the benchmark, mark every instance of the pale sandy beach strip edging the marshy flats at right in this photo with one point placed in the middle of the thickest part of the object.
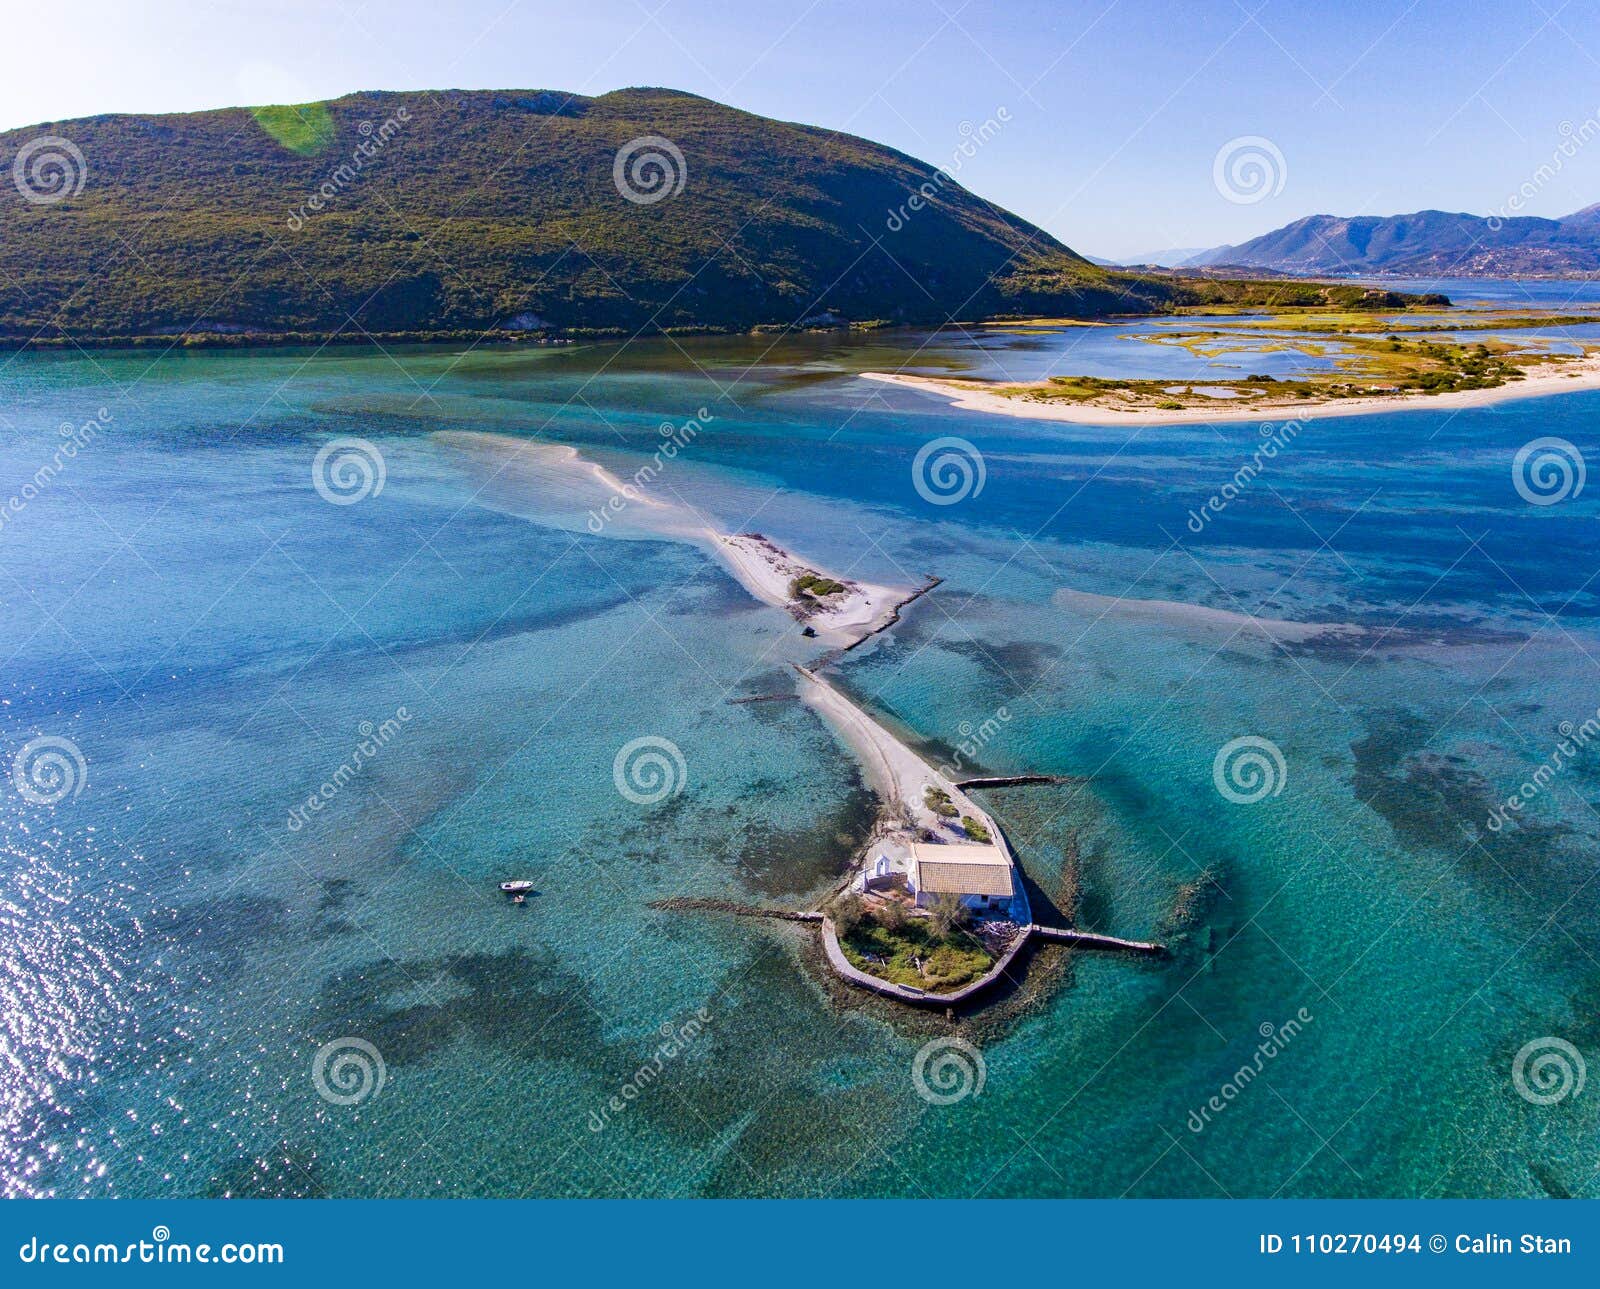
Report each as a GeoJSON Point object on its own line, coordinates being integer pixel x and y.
{"type": "Point", "coordinates": [978, 396]}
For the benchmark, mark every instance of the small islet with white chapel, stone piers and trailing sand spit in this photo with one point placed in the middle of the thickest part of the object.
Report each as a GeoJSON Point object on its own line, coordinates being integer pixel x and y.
{"type": "Point", "coordinates": [937, 909]}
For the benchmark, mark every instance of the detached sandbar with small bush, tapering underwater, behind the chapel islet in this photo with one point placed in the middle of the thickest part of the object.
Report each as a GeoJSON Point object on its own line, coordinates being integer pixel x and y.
{"type": "Point", "coordinates": [556, 484]}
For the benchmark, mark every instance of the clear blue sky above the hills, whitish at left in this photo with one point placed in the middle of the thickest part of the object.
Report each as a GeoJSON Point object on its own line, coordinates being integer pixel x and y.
{"type": "Point", "coordinates": [1116, 110]}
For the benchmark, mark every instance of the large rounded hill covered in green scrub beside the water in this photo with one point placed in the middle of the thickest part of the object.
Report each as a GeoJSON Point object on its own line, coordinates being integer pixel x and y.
{"type": "Point", "coordinates": [462, 212]}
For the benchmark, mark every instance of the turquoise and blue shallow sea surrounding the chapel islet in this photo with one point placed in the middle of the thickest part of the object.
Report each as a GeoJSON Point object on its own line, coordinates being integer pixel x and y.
{"type": "Point", "coordinates": [462, 660]}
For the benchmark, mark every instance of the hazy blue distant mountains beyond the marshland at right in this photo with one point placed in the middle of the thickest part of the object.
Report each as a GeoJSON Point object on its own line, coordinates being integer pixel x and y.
{"type": "Point", "coordinates": [1428, 244]}
